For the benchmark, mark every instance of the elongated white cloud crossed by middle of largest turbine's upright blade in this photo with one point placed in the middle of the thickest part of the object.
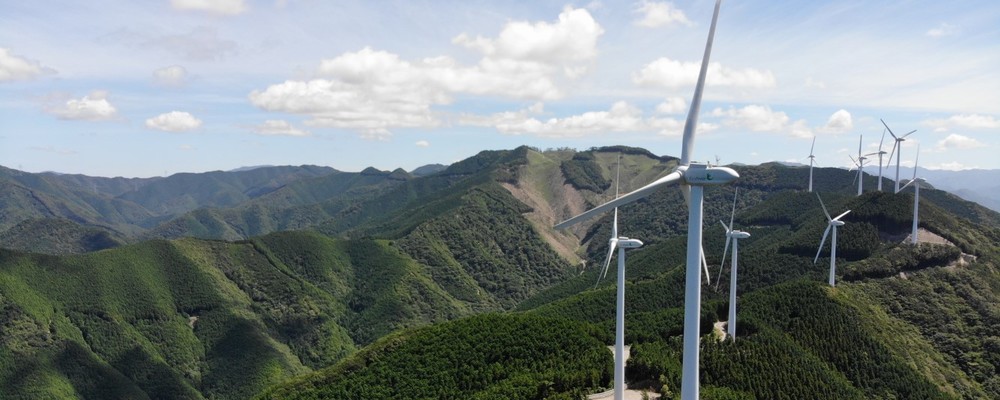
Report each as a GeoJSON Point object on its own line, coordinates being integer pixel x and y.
{"type": "Point", "coordinates": [664, 72]}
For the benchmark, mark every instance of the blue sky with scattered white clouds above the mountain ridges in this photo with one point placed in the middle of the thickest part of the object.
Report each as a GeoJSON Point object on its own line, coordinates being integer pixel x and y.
{"type": "Point", "coordinates": [118, 88]}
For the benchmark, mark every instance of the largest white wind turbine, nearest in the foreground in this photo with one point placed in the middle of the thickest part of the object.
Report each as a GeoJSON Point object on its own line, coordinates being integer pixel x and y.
{"type": "Point", "coordinates": [692, 177]}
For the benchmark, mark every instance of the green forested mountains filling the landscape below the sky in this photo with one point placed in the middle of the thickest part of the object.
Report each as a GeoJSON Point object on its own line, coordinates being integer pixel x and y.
{"type": "Point", "coordinates": [353, 302]}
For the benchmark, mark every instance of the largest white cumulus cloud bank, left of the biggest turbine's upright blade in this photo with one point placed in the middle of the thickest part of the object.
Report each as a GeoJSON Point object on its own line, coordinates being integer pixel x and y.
{"type": "Point", "coordinates": [374, 91]}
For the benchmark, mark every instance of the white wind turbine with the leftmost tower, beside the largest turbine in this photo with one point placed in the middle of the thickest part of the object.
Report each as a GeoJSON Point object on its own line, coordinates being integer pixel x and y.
{"type": "Point", "coordinates": [621, 243]}
